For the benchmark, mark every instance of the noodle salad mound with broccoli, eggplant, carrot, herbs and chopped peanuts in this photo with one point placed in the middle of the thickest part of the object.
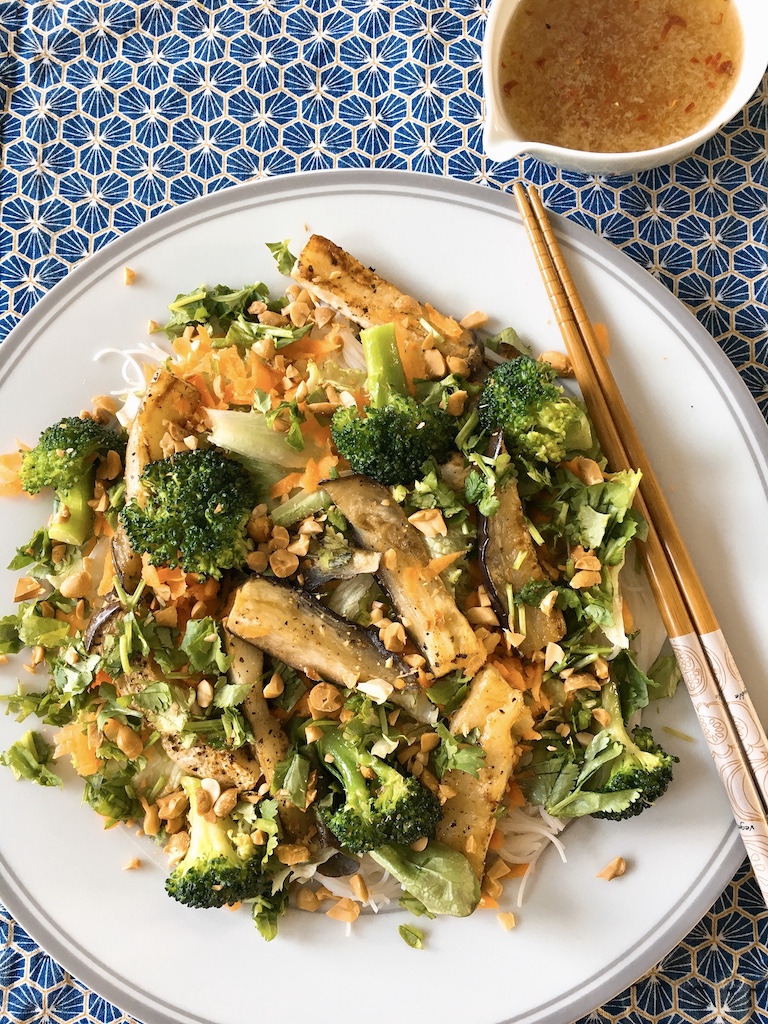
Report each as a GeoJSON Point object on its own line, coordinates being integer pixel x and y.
{"type": "Point", "coordinates": [335, 592]}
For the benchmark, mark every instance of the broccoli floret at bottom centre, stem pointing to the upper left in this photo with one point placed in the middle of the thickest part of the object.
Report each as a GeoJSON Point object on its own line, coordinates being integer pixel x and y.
{"type": "Point", "coordinates": [389, 808]}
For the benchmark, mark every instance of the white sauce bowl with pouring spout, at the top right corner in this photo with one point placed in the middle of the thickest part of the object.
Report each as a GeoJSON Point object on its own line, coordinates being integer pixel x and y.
{"type": "Point", "coordinates": [502, 143]}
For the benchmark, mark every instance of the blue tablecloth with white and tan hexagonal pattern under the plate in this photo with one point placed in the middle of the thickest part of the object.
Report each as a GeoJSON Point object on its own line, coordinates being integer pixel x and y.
{"type": "Point", "coordinates": [114, 112]}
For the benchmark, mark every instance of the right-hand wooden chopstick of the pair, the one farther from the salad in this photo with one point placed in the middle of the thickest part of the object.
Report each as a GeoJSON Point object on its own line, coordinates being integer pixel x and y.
{"type": "Point", "coordinates": [722, 663]}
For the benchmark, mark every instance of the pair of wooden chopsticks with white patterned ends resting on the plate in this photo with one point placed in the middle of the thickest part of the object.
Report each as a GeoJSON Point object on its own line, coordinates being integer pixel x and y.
{"type": "Point", "coordinates": [727, 714]}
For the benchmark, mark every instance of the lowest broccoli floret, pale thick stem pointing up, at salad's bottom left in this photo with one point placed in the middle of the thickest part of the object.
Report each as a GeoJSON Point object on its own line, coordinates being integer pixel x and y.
{"type": "Point", "coordinates": [215, 872]}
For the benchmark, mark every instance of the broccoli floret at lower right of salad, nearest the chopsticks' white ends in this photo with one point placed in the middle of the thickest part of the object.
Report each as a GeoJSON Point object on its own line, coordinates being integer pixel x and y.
{"type": "Point", "coordinates": [643, 766]}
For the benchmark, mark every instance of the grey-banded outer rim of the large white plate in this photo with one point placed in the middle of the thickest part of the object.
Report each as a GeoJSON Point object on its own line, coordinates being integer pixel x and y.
{"type": "Point", "coordinates": [730, 854]}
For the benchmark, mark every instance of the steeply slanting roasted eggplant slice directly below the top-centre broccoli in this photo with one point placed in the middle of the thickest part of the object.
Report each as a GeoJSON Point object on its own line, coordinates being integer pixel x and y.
{"type": "Point", "coordinates": [421, 600]}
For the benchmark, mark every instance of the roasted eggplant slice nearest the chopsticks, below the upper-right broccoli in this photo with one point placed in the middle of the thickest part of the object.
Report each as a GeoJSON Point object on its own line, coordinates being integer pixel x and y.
{"type": "Point", "coordinates": [508, 560]}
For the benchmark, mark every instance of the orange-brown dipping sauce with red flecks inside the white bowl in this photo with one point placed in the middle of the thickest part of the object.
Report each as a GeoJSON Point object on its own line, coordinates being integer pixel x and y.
{"type": "Point", "coordinates": [618, 76]}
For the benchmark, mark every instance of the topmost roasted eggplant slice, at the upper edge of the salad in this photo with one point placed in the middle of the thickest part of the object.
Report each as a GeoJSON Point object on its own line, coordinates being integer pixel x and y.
{"type": "Point", "coordinates": [342, 281]}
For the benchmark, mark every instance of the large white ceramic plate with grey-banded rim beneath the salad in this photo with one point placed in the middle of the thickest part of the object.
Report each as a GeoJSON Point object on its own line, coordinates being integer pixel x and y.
{"type": "Point", "coordinates": [579, 940]}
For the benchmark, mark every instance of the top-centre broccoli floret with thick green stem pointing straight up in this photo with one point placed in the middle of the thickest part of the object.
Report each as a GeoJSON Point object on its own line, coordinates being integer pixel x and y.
{"type": "Point", "coordinates": [398, 435]}
